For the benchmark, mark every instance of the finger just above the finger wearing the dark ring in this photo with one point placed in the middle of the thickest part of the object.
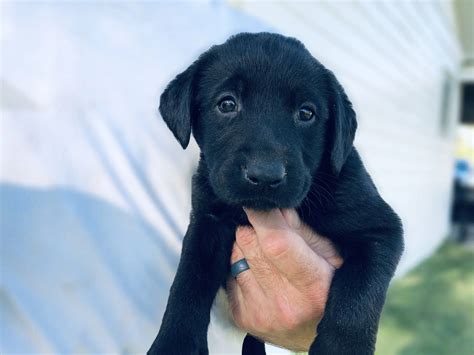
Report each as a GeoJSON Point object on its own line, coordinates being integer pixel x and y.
{"type": "Point", "coordinates": [264, 273]}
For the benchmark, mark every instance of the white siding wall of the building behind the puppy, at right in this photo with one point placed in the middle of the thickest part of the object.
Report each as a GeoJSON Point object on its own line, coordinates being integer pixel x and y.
{"type": "Point", "coordinates": [392, 58]}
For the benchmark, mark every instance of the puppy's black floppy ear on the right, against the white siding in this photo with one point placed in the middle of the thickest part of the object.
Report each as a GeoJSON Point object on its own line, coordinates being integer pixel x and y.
{"type": "Point", "coordinates": [342, 127]}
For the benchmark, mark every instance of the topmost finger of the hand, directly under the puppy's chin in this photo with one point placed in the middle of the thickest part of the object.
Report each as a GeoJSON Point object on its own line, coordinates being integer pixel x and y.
{"type": "Point", "coordinates": [285, 249]}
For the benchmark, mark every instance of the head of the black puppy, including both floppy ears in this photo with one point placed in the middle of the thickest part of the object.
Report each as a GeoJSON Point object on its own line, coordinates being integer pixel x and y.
{"type": "Point", "coordinates": [266, 116]}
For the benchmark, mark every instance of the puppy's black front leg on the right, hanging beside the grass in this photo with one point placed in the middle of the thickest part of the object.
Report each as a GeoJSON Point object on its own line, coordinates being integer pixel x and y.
{"type": "Point", "coordinates": [356, 298]}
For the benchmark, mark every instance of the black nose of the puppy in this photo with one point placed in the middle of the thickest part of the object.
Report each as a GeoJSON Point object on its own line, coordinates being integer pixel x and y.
{"type": "Point", "coordinates": [263, 174]}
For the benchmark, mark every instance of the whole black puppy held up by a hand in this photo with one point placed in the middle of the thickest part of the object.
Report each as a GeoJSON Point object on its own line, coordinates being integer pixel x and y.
{"type": "Point", "coordinates": [275, 130]}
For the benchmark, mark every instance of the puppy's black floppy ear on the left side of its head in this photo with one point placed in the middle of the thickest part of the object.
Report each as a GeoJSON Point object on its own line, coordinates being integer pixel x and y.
{"type": "Point", "coordinates": [176, 105]}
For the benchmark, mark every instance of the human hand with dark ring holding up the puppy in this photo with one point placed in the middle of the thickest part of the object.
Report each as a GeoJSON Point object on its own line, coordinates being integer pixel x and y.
{"type": "Point", "coordinates": [281, 299]}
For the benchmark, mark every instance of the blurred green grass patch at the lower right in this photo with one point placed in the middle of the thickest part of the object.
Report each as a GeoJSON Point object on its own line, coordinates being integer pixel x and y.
{"type": "Point", "coordinates": [431, 310]}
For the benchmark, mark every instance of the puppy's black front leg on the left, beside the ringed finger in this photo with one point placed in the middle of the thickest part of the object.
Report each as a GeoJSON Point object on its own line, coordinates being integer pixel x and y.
{"type": "Point", "coordinates": [203, 268]}
